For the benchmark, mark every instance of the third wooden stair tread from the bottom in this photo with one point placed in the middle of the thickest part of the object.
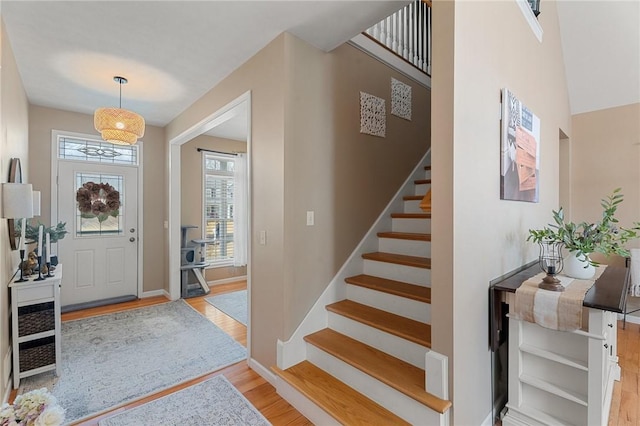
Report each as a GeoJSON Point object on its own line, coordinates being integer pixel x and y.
{"type": "Point", "coordinates": [414, 331]}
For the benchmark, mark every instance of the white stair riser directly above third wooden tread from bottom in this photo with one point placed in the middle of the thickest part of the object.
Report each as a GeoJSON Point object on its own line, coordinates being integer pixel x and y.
{"type": "Point", "coordinates": [398, 305]}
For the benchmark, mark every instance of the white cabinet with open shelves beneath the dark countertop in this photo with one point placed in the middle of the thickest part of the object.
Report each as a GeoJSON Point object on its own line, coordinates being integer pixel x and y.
{"type": "Point", "coordinates": [559, 377]}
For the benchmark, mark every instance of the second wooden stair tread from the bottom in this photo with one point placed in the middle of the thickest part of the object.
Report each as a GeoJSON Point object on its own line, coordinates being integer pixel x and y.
{"type": "Point", "coordinates": [394, 372]}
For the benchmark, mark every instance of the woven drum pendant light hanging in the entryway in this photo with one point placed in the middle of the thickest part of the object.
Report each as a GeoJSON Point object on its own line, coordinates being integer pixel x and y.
{"type": "Point", "coordinates": [116, 125]}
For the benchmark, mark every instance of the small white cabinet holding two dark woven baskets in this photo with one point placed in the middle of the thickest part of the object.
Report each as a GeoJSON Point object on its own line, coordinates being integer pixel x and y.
{"type": "Point", "coordinates": [35, 326]}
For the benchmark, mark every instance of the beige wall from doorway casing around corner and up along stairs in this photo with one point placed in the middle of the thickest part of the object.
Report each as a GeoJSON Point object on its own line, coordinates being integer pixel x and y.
{"type": "Point", "coordinates": [307, 154]}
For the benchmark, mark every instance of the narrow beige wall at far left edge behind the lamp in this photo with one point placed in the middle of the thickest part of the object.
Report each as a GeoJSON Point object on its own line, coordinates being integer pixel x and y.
{"type": "Point", "coordinates": [14, 143]}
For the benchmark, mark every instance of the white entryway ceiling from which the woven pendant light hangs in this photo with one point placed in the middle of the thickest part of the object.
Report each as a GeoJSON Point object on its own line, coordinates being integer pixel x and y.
{"type": "Point", "coordinates": [172, 52]}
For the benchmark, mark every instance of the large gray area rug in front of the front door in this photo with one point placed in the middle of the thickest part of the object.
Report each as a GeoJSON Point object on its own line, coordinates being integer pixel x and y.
{"type": "Point", "coordinates": [113, 359]}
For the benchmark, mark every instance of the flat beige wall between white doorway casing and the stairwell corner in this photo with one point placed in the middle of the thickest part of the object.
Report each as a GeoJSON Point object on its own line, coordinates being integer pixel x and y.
{"type": "Point", "coordinates": [263, 75]}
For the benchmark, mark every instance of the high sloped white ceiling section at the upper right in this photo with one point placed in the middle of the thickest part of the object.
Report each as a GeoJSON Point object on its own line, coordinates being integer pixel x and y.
{"type": "Point", "coordinates": [601, 46]}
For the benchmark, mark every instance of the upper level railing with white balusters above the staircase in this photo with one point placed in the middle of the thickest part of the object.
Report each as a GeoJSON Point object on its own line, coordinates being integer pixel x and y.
{"type": "Point", "coordinates": [407, 33]}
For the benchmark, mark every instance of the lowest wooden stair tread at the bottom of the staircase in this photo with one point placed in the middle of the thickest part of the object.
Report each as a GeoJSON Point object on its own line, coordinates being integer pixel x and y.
{"type": "Point", "coordinates": [340, 401]}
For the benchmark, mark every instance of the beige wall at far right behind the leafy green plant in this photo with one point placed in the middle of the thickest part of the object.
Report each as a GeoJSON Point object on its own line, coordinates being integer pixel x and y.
{"type": "Point", "coordinates": [605, 154]}
